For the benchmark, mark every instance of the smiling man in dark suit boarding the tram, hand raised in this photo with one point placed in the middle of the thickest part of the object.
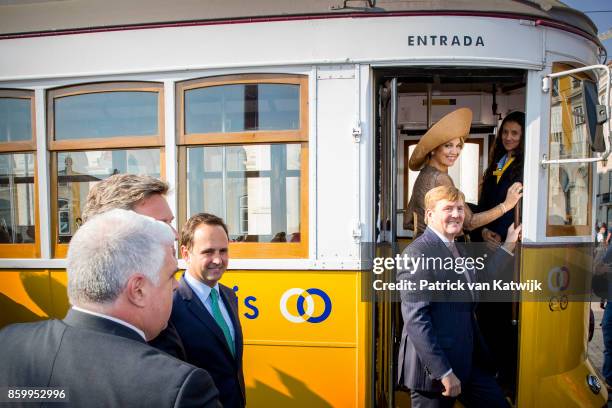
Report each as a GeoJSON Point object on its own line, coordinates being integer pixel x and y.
{"type": "Point", "coordinates": [441, 343]}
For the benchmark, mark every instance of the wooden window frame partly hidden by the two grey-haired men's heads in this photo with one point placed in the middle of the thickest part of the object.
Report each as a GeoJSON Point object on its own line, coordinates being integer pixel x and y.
{"type": "Point", "coordinates": [89, 144]}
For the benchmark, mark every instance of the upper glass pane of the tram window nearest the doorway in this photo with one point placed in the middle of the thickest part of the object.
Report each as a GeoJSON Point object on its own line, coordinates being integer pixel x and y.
{"type": "Point", "coordinates": [242, 107]}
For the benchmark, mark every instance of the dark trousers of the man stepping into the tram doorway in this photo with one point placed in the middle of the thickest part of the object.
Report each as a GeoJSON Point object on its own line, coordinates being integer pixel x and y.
{"type": "Point", "coordinates": [480, 391]}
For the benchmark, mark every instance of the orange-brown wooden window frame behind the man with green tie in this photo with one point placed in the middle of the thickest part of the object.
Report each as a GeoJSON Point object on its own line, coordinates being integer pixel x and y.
{"type": "Point", "coordinates": [249, 250]}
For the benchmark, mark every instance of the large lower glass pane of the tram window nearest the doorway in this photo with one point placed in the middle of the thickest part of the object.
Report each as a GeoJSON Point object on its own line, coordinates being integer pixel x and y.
{"type": "Point", "coordinates": [254, 188]}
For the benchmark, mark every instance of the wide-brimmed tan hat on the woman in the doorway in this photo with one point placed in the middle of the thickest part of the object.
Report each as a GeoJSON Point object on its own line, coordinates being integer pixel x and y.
{"type": "Point", "coordinates": [453, 125]}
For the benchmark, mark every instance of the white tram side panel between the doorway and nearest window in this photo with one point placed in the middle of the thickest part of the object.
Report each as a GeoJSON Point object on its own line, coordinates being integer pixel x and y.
{"type": "Point", "coordinates": [336, 182]}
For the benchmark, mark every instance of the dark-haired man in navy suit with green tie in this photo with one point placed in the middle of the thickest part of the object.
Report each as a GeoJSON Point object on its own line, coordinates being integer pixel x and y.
{"type": "Point", "coordinates": [205, 312]}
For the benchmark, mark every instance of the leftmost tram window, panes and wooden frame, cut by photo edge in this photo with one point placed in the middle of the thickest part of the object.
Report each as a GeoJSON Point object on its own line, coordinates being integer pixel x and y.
{"type": "Point", "coordinates": [18, 209]}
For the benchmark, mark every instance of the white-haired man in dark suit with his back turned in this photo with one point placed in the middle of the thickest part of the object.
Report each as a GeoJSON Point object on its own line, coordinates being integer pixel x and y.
{"type": "Point", "coordinates": [121, 269]}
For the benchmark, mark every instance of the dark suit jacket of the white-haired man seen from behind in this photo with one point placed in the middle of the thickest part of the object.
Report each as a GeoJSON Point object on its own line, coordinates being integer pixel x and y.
{"type": "Point", "coordinates": [99, 363]}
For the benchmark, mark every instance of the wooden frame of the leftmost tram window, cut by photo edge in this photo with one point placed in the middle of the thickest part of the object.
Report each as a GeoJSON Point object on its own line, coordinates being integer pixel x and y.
{"type": "Point", "coordinates": [30, 249]}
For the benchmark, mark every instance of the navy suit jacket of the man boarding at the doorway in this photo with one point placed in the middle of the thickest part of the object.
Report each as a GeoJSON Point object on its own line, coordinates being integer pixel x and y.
{"type": "Point", "coordinates": [437, 335]}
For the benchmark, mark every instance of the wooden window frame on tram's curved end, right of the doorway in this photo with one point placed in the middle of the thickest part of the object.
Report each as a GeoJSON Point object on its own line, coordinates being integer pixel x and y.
{"type": "Point", "coordinates": [554, 230]}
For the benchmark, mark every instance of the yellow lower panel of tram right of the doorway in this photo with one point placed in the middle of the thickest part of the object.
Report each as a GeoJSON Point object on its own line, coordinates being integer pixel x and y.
{"type": "Point", "coordinates": [553, 363]}
